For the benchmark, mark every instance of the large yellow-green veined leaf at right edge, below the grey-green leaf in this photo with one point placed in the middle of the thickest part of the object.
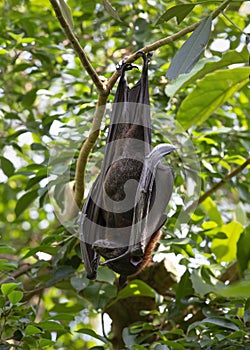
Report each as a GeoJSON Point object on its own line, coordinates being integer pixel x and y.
{"type": "Point", "coordinates": [209, 94]}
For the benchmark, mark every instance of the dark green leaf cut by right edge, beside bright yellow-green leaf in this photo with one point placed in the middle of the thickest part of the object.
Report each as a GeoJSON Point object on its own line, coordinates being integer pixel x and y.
{"type": "Point", "coordinates": [243, 250]}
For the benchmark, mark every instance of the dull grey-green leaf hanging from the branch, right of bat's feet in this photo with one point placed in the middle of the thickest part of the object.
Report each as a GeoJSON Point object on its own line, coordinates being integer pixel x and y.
{"type": "Point", "coordinates": [190, 52]}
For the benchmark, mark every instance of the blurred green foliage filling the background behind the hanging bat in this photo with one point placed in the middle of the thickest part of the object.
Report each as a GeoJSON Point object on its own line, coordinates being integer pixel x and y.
{"type": "Point", "coordinates": [47, 103]}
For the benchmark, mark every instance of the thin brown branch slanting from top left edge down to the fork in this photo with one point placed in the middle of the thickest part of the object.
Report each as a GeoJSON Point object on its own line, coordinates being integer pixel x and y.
{"type": "Point", "coordinates": [101, 88]}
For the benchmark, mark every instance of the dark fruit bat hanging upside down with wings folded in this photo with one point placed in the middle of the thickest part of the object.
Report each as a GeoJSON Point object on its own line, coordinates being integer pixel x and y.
{"type": "Point", "coordinates": [125, 208]}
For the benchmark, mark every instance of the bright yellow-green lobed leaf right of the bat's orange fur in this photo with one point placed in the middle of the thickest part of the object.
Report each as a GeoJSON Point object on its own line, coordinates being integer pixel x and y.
{"type": "Point", "coordinates": [225, 249]}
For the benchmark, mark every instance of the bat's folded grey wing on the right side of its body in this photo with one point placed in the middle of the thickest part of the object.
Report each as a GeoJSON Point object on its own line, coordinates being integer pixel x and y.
{"type": "Point", "coordinates": [153, 194]}
